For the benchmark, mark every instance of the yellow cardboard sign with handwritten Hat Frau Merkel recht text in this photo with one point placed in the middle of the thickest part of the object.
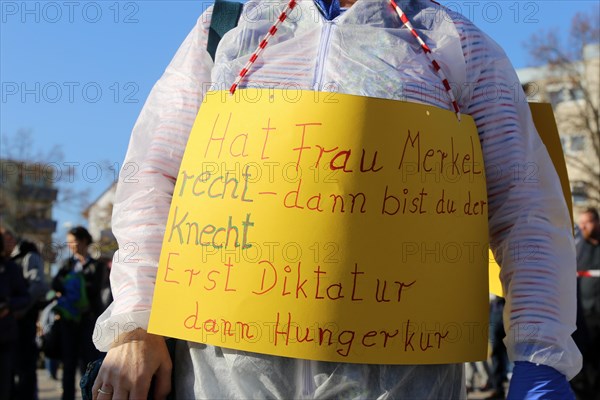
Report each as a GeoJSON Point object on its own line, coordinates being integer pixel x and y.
{"type": "Point", "coordinates": [328, 227]}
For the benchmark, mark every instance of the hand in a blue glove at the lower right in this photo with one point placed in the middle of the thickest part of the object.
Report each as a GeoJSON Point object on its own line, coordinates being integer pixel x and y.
{"type": "Point", "coordinates": [538, 382]}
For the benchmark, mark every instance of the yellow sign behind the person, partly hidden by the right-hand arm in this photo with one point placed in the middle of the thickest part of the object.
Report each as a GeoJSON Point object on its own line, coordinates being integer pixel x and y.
{"type": "Point", "coordinates": [543, 118]}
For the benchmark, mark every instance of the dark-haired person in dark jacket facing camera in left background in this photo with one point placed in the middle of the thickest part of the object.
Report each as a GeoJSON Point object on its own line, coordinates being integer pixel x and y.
{"type": "Point", "coordinates": [78, 284]}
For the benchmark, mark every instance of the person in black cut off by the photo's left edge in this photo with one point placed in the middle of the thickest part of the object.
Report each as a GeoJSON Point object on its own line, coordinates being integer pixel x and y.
{"type": "Point", "coordinates": [14, 298]}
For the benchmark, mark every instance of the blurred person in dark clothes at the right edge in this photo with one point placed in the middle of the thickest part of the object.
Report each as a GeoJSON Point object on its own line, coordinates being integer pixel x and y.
{"type": "Point", "coordinates": [587, 383]}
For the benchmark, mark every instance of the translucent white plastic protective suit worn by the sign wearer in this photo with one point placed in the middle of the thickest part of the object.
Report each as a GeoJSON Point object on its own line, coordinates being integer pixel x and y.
{"type": "Point", "coordinates": [367, 52]}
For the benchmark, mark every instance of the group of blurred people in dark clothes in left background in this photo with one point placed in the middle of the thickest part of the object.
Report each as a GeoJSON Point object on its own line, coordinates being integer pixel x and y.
{"type": "Point", "coordinates": [55, 315]}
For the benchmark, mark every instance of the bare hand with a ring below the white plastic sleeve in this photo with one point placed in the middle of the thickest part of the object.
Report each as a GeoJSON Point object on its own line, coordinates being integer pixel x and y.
{"type": "Point", "coordinates": [128, 368]}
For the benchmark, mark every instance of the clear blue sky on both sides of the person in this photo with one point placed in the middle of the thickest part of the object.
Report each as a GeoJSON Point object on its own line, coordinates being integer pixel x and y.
{"type": "Point", "coordinates": [76, 73]}
